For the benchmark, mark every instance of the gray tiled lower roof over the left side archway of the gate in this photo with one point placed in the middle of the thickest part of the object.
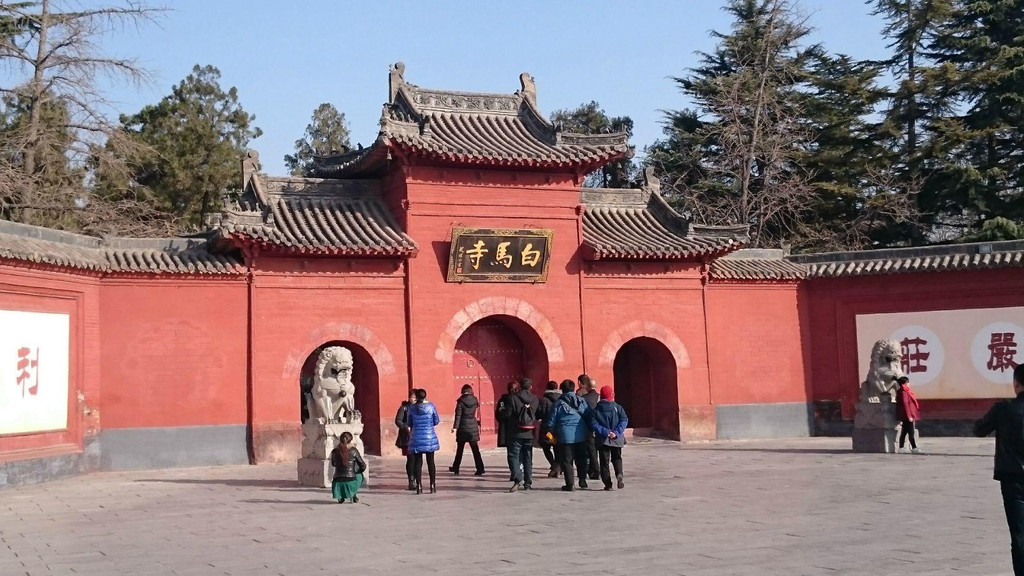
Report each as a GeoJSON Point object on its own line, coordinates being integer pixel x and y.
{"type": "Point", "coordinates": [313, 216]}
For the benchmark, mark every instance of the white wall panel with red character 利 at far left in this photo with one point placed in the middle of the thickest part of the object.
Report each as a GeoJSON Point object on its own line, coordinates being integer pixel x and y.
{"type": "Point", "coordinates": [34, 372]}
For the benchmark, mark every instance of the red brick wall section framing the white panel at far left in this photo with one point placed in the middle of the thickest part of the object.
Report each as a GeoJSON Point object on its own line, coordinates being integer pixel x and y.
{"type": "Point", "coordinates": [32, 289]}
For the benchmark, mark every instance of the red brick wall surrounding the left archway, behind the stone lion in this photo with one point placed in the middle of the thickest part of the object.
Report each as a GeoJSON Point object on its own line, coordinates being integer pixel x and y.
{"type": "Point", "coordinates": [302, 304]}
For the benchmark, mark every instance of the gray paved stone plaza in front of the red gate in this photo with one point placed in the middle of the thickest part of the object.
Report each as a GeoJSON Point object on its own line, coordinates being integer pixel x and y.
{"type": "Point", "coordinates": [766, 508]}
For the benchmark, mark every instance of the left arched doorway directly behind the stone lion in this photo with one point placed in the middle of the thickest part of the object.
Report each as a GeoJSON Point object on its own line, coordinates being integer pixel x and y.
{"type": "Point", "coordinates": [367, 382]}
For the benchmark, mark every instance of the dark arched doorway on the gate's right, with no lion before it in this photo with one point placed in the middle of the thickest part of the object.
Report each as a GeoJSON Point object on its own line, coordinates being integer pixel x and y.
{"type": "Point", "coordinates": [646, 386]}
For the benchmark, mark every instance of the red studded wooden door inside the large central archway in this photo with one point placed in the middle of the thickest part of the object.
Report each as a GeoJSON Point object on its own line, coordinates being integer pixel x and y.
{"type": "Point", "coordinates": [488, 356]}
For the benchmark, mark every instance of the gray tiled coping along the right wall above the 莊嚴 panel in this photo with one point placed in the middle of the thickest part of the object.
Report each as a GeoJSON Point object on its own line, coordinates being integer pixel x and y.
{"type": "Point", "coordinates": [928, 259]}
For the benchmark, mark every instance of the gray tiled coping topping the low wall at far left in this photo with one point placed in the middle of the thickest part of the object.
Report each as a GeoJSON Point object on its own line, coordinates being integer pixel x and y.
{"type": "Point", "coordinates": [157, 256]}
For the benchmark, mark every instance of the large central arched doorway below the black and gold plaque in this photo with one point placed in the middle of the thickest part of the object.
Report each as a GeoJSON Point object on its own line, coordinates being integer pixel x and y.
{"type": "Point", "coordinates": [493, 352]}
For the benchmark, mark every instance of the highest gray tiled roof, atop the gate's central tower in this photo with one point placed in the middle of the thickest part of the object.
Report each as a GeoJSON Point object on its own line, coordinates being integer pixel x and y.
{"type": "Point", "coordinates": [475, 130]}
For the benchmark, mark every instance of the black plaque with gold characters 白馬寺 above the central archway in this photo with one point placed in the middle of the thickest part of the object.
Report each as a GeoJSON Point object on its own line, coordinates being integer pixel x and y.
{"type": "Point", "coordinates": [499, 256]}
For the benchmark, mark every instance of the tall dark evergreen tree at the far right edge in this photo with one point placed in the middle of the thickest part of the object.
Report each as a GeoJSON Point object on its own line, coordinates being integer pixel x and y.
{"type": "Point", "coordinates": [978, 174]}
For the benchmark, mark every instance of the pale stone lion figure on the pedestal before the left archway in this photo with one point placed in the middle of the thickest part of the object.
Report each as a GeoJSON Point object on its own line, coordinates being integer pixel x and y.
{"type": "Point", "coordinates": [333, 395]}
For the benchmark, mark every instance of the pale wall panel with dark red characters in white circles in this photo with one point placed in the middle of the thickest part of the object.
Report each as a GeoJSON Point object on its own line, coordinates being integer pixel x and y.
{"type": "Point", "coordinates": [953, 354]}
